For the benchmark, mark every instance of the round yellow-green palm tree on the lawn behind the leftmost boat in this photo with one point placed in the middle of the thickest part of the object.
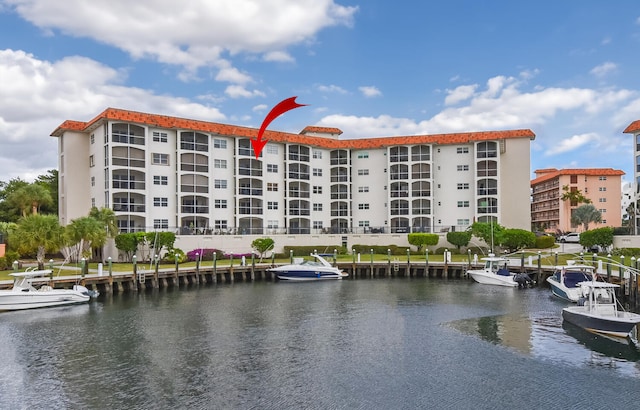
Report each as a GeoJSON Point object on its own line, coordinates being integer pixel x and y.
{"type": "Point", "coordinates": [39, 234]}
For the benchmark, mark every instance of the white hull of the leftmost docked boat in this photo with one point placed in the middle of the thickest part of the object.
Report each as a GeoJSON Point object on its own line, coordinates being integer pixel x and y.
{"type": "Point", "coordinates": [10, 301]}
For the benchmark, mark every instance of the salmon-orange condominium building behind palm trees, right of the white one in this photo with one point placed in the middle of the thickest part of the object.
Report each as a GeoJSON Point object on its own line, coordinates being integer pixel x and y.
{"type": "Point", "coordinates": [600, 185]}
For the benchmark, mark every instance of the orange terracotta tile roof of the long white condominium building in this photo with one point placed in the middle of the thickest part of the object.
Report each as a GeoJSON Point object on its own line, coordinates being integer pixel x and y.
{"type": "Point", "coordinates": [163, 121]}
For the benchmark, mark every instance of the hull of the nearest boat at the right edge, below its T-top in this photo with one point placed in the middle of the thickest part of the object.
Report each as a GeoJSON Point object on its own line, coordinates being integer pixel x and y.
{"type": "Point", "coordinates": [617, 325]}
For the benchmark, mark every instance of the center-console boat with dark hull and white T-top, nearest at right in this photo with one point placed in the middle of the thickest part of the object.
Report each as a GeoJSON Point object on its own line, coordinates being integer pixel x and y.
{"type": "Point", "coordinates": [597, 311]}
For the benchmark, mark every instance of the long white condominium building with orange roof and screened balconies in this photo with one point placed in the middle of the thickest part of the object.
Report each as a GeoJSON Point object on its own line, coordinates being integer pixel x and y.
{"type": "Point", "coordinates": [166, 173]}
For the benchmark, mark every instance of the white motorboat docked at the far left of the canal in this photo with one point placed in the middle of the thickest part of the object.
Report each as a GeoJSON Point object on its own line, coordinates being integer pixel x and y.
{"type": "Point", "coordinates": [24, 295]}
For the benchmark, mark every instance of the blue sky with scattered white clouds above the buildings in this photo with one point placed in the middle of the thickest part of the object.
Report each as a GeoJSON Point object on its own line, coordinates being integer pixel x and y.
{"type": "Point", "coordinates": [567, 70]}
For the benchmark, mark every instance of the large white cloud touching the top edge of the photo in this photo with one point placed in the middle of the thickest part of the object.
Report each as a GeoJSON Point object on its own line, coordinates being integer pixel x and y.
{"type": "Point", "coordinates": [192, 34]}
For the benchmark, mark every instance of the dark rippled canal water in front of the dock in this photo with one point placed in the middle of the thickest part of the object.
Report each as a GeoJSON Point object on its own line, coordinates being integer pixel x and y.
{"type": "Point", "coordinates": [352, 344]}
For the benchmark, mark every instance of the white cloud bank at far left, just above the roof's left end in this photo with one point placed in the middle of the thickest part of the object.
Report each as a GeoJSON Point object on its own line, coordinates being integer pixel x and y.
{"type": "Point", "coordinates": [37, 96]}
